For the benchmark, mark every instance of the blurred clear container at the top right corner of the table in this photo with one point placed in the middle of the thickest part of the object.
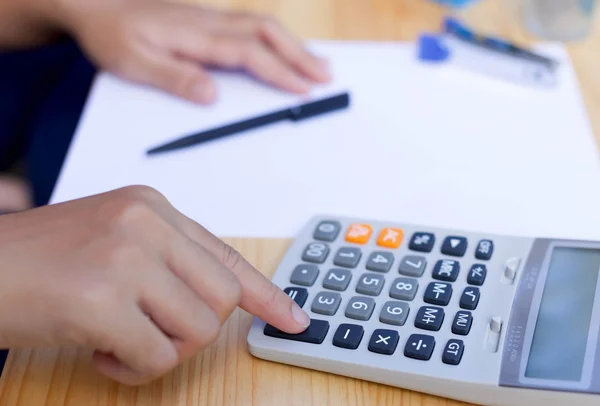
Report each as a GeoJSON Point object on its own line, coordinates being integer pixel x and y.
{"type": "Point", "coordinates": [558, 20]}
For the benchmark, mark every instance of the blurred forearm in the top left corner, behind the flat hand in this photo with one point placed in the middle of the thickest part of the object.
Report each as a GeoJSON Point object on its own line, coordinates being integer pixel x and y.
{"type": "Point", "coordinates": [27, 23]}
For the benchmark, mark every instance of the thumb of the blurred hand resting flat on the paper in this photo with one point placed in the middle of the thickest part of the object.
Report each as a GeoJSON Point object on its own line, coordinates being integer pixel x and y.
{"type": "Point", "coordinates": [177, 76]}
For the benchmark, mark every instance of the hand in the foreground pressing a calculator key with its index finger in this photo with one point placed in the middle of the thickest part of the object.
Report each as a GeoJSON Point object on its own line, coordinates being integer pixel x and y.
{"type": "Point", "coordinates": [130, 277]}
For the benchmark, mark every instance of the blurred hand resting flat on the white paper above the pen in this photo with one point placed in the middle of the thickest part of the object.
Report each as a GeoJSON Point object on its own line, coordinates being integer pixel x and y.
{"type": "Point", "coordinates": [169, 45]}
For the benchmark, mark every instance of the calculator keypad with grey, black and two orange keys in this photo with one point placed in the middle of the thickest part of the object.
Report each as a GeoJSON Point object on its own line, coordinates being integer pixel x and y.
{"type": "Point", "coordinates": [371, 278]}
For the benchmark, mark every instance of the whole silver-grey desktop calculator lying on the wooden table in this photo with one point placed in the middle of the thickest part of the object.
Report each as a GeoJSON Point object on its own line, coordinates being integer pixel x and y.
{"type": "Point", "coordinates": [482, 318]}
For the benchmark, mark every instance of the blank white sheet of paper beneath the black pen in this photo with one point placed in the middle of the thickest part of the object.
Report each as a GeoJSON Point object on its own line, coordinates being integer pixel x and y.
{"type": "Point", "coordinates": [431, 145]}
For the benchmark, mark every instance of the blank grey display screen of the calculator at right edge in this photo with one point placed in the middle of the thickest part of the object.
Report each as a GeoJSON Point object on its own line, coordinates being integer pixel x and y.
{"type": "Point", "coordinates": [561, 331]}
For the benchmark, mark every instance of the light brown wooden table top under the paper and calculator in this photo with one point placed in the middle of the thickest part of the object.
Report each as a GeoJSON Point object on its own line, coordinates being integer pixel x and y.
{"type": "Point", "coordinates": [225, 373]}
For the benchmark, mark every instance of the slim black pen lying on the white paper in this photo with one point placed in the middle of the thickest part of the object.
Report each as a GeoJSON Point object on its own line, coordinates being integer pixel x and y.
{"type": "Point", "coordinates": [294, 113]}
